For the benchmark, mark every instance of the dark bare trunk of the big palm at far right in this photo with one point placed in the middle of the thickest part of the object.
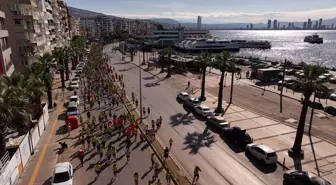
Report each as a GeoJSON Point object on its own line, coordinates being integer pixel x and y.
{"type": "Point", "coordinates": [296, 150]}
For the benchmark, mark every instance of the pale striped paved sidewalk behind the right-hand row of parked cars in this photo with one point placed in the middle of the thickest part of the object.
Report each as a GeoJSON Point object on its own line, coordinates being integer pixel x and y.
{"type": "Point", "coordinates": [320, 155]}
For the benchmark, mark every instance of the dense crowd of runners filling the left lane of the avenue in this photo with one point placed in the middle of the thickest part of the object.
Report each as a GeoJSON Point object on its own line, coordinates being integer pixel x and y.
{"type": "Point", "coordinates": [99, 87]}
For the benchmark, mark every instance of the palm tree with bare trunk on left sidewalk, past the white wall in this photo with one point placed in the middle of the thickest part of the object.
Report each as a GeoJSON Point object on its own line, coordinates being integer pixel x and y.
{"type": "Point", "coordinates": [42, 70]}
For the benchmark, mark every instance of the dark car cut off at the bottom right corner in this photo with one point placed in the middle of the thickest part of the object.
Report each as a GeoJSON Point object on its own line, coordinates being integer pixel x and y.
{"type": "Point", "coordinates": [297, 177]}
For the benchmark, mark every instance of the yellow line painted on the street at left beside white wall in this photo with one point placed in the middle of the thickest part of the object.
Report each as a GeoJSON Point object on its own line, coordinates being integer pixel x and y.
{"type": "Point", "coordinates": [40, 159]}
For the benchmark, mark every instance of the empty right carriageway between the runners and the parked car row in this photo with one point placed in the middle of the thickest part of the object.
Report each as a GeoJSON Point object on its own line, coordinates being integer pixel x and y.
{"type": "Point", "coordinates": [221, 163]}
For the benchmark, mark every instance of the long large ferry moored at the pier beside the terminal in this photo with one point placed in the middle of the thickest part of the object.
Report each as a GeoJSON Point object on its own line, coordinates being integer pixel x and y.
{"type": "Point", "coordinates": [211, 45]}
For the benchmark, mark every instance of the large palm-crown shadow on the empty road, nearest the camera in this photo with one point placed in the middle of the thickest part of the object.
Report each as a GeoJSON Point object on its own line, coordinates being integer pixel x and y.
{"type": "Point", "coordinates": [194, 141]}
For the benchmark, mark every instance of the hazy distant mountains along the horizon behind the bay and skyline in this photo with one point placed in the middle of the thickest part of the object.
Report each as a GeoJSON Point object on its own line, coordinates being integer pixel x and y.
{"type": "Point", "coordinates": [170, 23]}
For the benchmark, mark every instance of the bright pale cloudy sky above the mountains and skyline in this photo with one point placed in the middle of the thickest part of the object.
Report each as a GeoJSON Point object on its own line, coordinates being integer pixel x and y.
{"type": "Point", "coordinates": [214, 11]}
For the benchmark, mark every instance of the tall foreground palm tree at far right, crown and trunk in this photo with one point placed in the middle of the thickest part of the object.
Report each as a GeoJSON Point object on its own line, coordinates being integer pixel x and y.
{"type": "Point", "coordinates": [309, 83]}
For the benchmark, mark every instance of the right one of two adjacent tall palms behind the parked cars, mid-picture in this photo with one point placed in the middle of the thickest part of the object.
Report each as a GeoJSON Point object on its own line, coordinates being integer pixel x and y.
{"type": "Point", "coordinates": [223, 64]}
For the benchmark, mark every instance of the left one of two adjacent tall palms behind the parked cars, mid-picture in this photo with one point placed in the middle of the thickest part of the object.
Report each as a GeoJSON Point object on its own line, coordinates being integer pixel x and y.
{"type": "Point", "coordinates": [204, 60]}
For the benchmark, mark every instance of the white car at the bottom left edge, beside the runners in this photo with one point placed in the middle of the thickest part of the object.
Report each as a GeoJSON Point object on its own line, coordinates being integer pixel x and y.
{"type": "Point", "coordinates": [63, 174]}
